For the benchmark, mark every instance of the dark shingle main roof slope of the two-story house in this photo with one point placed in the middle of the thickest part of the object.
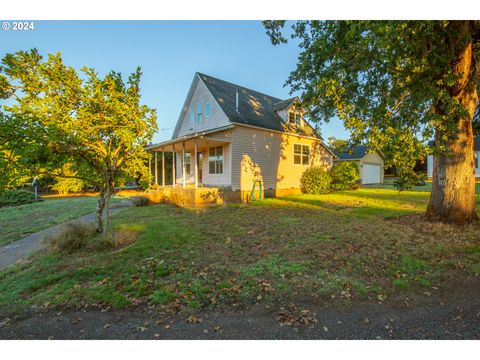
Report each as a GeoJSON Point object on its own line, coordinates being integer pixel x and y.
{"type": "Point", "coordinates": [255, 108]}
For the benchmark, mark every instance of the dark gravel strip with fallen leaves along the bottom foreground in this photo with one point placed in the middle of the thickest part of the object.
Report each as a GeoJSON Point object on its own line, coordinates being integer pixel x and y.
{"type": "Point", "coordinates": [452, 314]}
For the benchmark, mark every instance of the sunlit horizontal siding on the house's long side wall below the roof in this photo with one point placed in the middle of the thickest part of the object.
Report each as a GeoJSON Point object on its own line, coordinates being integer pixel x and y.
{"type": "Point", "coordinates": [265, 155]}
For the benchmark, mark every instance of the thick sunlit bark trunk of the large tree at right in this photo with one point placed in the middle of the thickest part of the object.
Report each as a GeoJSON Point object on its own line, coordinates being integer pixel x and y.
{"type": "Point", "coordinates": [453, 178]}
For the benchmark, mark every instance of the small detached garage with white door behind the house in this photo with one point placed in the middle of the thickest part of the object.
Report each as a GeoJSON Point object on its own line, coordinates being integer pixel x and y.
{"type": "Point", "coordinates": [370, 164]}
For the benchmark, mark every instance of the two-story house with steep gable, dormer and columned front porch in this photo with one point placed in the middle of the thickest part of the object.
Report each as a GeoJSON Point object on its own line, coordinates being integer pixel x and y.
{"type": "Point", "coordinates": [229, 138]}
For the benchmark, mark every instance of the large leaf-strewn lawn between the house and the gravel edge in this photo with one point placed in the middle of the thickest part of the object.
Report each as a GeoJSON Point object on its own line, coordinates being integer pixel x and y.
{"type": "Point", "coordinates": [341, 247]}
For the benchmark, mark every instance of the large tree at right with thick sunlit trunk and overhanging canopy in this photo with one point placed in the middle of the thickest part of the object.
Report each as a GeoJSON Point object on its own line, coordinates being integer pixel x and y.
{"type": "Point", "coordinates": [396, 84]}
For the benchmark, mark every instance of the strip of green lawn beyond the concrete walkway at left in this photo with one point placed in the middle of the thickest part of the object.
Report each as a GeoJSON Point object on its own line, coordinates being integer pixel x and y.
{"type": "Point", "coordinates": [19, 221]}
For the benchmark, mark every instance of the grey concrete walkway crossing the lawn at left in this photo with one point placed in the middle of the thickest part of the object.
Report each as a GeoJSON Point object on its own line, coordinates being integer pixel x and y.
{"type": "Point", "coordinates": [12, 253]}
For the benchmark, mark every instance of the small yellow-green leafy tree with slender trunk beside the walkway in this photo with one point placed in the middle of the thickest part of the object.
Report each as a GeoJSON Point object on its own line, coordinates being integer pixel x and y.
{"type": "Point", "coordinates": [95, 124]}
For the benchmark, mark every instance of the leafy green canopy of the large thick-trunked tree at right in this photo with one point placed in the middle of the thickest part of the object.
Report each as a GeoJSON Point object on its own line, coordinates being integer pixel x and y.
{"type": "Point", "coordinates": [382, 79]}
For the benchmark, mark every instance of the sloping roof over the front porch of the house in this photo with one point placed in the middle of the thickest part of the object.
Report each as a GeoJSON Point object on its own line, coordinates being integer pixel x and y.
{"type": "Point", "coordinates": [200, 138]}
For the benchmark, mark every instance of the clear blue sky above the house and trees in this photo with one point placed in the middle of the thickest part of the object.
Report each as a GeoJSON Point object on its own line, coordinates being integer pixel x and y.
{"type": "Point", "coordinates": [169, 53]}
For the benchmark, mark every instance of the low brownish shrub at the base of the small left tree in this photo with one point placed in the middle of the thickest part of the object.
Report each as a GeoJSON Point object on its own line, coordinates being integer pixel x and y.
{"type": "Point", "coordinates": [72, 237]}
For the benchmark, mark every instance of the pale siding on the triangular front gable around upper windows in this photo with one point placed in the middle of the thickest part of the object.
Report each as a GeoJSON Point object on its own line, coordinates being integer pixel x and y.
{"type": "Point", "coordinates": [215, 120]}
